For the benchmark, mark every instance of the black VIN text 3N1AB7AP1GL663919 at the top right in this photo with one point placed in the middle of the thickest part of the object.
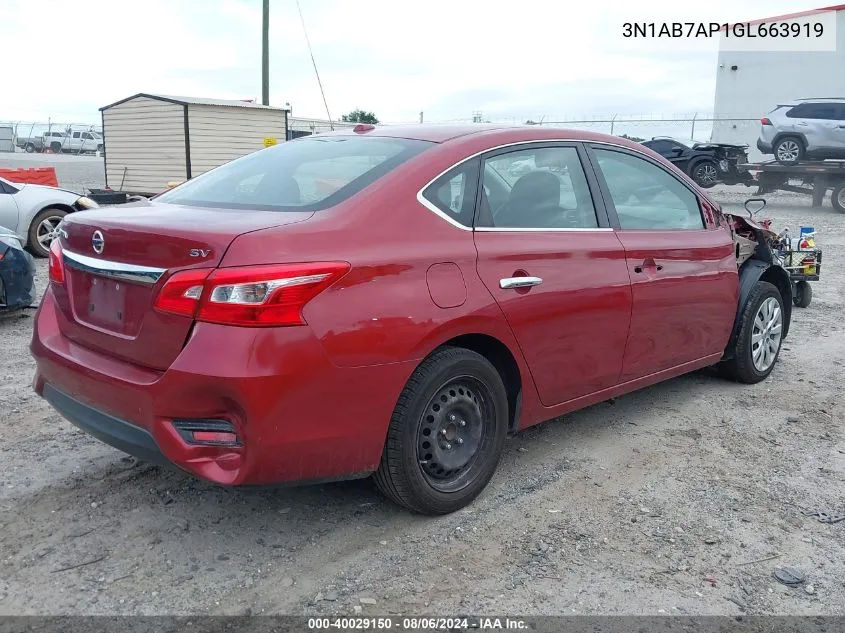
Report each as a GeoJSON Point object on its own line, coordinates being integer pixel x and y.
{"type": "Point", "coordinates": [773, 30]}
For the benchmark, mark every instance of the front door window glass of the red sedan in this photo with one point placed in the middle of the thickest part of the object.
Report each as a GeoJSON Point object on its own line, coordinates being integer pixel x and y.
{"type": "Point", "coordinates": [647, 196]}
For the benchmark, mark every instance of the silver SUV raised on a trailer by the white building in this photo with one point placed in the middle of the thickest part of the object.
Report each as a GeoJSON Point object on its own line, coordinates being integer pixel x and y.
{"type": "Point", "coordinates": [807, 129]}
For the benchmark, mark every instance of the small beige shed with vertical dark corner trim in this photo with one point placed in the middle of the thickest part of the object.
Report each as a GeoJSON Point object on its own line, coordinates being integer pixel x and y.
{"type": "Point", "coordinates": [151, 140]}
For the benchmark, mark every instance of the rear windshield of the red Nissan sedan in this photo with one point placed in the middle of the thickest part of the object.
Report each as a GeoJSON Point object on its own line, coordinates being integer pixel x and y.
{"type": "Point", "coordinates": [304, 175]}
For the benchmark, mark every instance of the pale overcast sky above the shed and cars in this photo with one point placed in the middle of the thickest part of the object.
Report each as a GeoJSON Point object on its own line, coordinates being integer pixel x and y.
{"type": "Point", "coordinates": [512, 61]}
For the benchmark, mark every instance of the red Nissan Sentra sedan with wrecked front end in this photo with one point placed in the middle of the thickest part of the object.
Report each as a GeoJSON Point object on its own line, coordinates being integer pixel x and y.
{"type": "Point", "coordinates": [250, 327]}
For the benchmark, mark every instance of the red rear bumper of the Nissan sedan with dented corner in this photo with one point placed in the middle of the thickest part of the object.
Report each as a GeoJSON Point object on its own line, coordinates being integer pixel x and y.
{"type": "Point", "coordinates": [298, 417]}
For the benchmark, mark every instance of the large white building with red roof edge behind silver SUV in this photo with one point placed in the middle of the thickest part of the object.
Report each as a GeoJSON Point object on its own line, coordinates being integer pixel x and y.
{"type": "Point", "coordinates": [750, 84]}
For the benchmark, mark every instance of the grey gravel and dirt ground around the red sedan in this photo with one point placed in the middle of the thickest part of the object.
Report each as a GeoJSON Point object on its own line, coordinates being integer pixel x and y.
{"type": "Point", "coordinates": [681, 498]}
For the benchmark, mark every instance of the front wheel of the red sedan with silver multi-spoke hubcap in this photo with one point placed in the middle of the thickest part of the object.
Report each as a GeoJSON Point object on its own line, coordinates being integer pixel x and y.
{"type": "Point", "coordinates": [760, 336]}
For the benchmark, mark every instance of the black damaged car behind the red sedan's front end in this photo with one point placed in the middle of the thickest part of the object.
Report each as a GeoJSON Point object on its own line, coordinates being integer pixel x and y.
{"type": "Point", "coordinates": [707, 163]}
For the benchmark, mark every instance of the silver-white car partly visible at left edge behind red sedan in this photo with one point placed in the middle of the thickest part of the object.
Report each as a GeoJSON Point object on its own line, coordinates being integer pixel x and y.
{"type": "Point", "coordinates": [34, 212]}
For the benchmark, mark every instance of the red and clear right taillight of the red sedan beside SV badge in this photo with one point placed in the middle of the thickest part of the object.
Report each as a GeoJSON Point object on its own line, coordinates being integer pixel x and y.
{"type": "Point", "coordinates": [257, 296]}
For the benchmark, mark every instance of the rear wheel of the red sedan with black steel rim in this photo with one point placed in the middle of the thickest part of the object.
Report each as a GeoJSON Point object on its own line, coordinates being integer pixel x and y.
{"type": "Point", "coordinates": [446, 433]}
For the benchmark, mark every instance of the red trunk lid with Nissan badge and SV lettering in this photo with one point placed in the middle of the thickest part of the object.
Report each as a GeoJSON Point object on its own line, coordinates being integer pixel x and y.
{"type": "Point", "coordinates": [116, 260]}
